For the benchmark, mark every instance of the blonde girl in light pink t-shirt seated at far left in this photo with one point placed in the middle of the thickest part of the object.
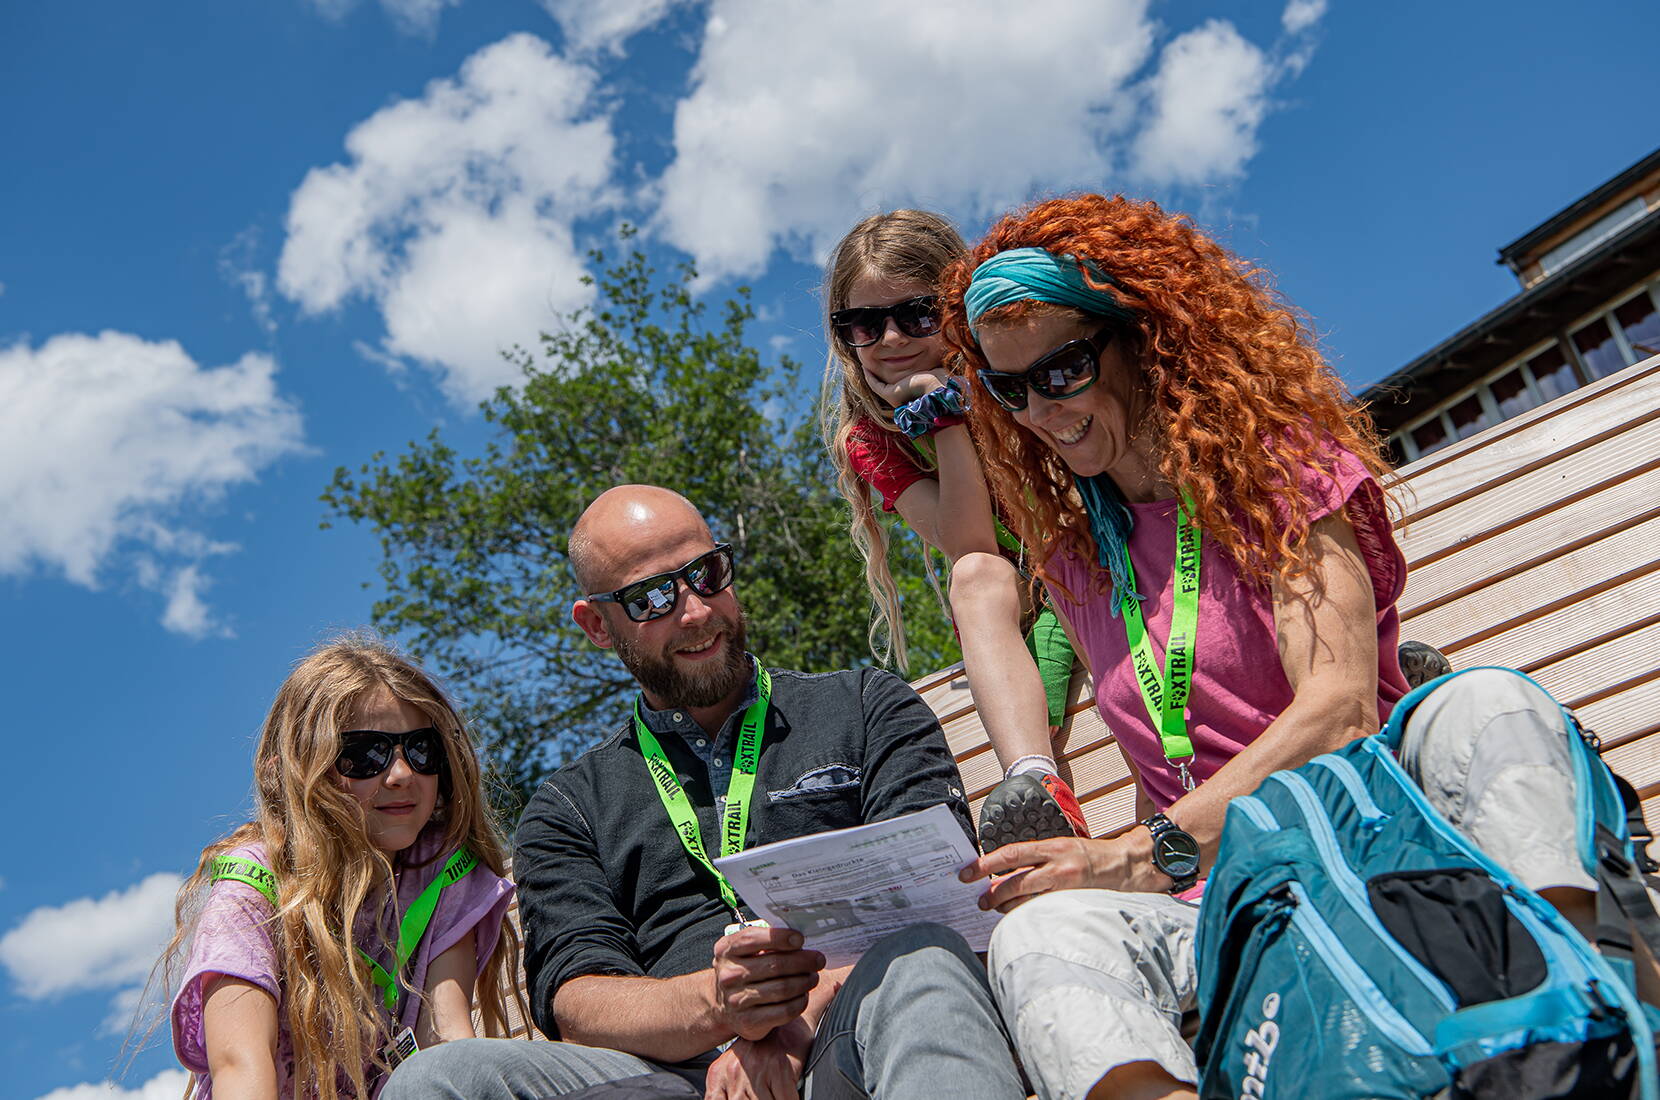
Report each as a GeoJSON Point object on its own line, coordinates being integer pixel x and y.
{"type": "Point", "coordinates": [353, 920]}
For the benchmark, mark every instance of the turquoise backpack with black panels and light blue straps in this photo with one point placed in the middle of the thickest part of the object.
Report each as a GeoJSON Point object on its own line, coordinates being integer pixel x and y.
{"type": "Point", "coordinates": [1352, 943]}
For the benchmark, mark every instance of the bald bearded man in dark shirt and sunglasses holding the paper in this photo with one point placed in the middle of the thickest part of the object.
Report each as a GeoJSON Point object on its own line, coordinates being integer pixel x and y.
{"type": "Point", "coordinates": [630, 947]}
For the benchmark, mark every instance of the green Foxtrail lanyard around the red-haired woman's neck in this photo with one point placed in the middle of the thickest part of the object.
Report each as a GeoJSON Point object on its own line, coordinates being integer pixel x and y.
{"type": "Point", "coordinates": [1166, 691]}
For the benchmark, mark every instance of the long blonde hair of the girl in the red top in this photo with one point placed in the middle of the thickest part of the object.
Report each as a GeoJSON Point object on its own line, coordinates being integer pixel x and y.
{"type": "Point", "coordinates": [912, 246]}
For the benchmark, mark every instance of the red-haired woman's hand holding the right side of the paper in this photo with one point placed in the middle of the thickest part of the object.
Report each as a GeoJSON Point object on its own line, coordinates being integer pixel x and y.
{"type": "Point", "coordinates": [1038, 867]}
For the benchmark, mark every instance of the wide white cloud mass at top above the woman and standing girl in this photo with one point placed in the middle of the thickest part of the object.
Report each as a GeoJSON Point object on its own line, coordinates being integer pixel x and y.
{"type": "Point", "coordinates": [803, 117]}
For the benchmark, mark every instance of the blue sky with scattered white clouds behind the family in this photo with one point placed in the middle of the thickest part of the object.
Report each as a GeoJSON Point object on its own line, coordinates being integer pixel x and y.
{"type": "Point", "coordinates": [245, 245]}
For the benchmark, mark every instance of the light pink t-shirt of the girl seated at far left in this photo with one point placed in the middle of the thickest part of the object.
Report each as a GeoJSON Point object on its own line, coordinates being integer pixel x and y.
{"type": "Point", "coordinates": [235, 938]}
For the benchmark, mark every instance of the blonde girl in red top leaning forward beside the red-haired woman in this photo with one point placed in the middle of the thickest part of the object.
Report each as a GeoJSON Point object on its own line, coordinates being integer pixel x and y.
{"type": "Point", "coordinates": [894, 424]}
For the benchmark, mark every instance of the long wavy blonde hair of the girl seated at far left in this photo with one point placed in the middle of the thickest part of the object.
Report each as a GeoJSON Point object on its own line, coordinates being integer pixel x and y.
{"type": "Point", "coordinates": [318, 847]}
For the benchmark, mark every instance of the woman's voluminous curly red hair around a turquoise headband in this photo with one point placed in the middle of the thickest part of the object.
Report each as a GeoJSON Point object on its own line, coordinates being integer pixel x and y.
{"type": "Point", "coordinates": [1239, 404]}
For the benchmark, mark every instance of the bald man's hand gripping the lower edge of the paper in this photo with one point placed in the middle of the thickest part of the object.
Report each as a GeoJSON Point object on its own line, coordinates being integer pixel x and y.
{"type": "Point", "coordinates": [763, 980]}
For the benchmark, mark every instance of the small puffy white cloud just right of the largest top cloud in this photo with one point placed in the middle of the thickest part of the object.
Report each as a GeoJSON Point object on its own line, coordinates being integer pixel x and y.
{"type": "Point", "coordinates": [1208, 100]}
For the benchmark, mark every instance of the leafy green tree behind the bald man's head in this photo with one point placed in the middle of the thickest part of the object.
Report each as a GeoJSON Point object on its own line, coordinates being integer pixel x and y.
{"type": "Point", "coordinates": [640, 389]}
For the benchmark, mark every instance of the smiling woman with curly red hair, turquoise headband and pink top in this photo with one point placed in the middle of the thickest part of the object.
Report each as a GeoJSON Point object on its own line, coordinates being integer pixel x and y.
{"type": "Point", "coordinates": [1204, 505]}
